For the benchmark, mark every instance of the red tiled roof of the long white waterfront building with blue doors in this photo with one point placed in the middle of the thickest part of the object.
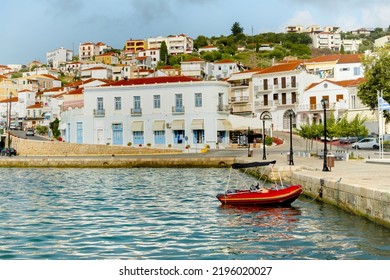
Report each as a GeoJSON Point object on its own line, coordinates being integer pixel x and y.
{"type": "Point", "coordinates": [153, 80]}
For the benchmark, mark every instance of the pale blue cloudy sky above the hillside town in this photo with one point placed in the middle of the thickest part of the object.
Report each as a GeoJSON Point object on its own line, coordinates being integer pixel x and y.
{"type": "Point", "coordinates": [32, 28]}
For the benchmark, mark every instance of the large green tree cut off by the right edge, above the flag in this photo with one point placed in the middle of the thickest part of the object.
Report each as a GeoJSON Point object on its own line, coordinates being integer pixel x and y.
{"type": "Point", "coordinates": [377, 79]}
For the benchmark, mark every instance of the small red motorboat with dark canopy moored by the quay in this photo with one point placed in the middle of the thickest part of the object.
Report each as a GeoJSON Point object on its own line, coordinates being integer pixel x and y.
{"type": "Point", "coordinates": [255, 194]}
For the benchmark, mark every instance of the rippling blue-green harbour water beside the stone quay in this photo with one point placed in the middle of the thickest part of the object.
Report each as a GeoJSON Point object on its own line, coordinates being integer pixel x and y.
{"type": "Point", "coordinates": [167, 214]}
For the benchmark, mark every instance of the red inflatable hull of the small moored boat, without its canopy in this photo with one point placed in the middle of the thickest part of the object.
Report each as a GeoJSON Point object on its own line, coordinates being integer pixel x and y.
{"type": "Point", "coordinates": [272, 197]}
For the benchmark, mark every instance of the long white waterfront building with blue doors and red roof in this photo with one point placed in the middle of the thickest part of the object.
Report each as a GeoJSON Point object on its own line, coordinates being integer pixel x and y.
{"type": "Point", "coordinates": [160, 111]}
